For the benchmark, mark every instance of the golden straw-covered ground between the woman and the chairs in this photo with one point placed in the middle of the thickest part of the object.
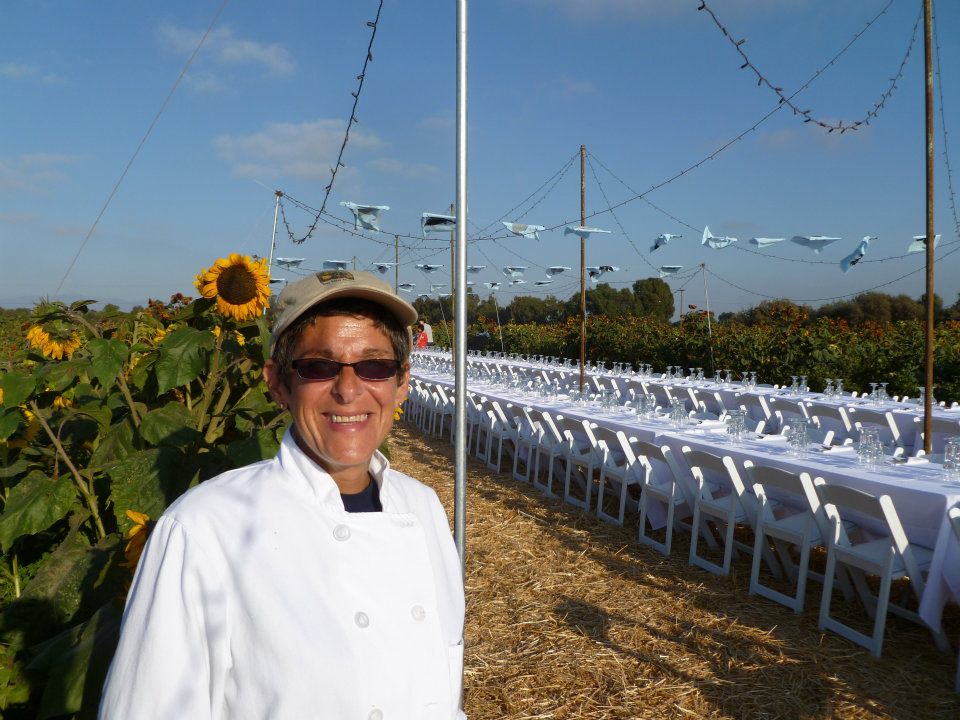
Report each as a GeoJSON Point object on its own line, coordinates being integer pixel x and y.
{"type": "Point", "coordinates": [569, 617]}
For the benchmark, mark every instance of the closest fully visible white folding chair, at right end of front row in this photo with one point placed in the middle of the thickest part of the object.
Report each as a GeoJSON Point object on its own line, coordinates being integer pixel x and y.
{"type": "Point", "coordinates": [890, 556]}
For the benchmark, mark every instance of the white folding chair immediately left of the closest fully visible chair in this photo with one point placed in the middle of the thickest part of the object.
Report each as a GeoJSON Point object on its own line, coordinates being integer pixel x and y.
{"type": "Point", "coordinates": [794, 526]}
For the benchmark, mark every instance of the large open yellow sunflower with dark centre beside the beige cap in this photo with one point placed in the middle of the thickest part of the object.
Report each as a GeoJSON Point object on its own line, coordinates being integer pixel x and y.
{"type": "Point", "coordinates": [240, 285]}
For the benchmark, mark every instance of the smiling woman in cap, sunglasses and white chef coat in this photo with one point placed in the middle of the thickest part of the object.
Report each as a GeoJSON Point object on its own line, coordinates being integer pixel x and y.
{"type": "Point", "coordinates": [320, 583]}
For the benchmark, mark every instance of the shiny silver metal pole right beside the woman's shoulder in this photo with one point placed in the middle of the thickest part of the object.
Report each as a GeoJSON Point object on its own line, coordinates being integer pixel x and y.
{"type": "Point", "coordinates": [460, 293]}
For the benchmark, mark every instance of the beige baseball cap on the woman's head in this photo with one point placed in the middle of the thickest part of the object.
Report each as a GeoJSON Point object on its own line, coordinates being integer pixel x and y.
{"type": "Point", "coordinates": [302, 295]}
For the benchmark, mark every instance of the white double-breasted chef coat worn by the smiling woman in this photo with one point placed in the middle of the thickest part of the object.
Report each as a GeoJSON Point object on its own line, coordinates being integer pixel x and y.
{"type": "Point", "coordinates": [258, 596]}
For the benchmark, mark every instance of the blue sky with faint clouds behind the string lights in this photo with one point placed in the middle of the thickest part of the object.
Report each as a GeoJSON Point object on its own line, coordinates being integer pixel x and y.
{"type": "Point", "coordinates": [649, 87]}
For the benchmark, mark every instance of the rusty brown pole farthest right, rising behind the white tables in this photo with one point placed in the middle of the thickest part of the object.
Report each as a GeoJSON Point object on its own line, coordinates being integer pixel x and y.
{"type": "Point", "coordinates": [928, 353]}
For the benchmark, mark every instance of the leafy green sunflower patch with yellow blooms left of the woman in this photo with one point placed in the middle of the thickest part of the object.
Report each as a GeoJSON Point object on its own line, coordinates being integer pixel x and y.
{"type": "Point", "coordinates": [106, 418]}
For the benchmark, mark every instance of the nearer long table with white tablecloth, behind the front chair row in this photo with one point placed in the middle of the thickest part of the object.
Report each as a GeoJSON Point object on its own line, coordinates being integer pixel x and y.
{"type": "Point", "coordinates": [917, 490]}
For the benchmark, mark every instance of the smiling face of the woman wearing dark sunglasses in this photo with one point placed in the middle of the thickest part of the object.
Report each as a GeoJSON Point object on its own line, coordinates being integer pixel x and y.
{"type": "Point", "coordinates": [339, 423]}
